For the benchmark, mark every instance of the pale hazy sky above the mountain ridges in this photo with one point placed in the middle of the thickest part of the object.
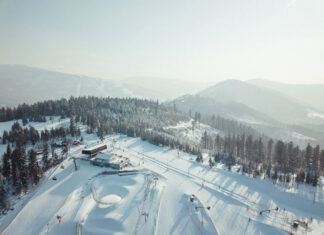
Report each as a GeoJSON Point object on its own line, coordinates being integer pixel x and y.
{"type": "Point", "coordinates": [281, 40]}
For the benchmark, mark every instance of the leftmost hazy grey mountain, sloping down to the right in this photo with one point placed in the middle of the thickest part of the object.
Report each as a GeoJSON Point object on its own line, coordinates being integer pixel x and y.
{"type": "Point", "coordinates": [26, 84]}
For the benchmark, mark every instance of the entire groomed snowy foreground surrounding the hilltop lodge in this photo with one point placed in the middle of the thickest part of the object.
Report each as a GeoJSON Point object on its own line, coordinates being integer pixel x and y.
{"type": "Point", "coordinates": [156, 200]}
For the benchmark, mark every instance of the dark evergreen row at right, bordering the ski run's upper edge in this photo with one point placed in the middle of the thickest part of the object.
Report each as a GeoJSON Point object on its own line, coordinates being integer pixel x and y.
{"type": "Point", "coordinates": [276, 159]}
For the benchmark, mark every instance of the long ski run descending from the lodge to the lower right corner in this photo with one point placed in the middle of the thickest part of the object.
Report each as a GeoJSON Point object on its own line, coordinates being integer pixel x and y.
{"type": "Point", "coordinates": [233, 198]}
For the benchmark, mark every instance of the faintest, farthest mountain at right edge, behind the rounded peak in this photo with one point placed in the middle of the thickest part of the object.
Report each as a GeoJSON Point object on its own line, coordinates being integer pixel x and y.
{"type": "Point", "coordinates": [311, 94]}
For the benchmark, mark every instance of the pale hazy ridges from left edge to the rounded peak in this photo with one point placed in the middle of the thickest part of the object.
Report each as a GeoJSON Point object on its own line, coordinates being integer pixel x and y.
{"type": "Point", "coordinates": [27, 84]}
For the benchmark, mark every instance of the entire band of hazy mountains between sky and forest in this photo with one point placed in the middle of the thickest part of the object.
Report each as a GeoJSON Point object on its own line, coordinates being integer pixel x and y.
{"type": "Point", "coordinates": [281, 111]}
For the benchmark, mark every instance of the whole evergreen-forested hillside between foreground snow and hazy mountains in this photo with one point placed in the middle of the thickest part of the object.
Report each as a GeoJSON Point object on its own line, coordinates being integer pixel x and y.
{"type": "Point", "coordinates": [239, 145]}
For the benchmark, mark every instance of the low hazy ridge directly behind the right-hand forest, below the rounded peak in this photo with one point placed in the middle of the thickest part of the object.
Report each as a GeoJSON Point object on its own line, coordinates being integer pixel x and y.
{"type": "Point", "coordinates": [241, 113]}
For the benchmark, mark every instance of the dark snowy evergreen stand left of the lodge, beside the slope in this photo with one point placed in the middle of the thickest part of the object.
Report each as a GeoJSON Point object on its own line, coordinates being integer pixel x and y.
{"type": "Point", "coordinates": [21, 168]}
